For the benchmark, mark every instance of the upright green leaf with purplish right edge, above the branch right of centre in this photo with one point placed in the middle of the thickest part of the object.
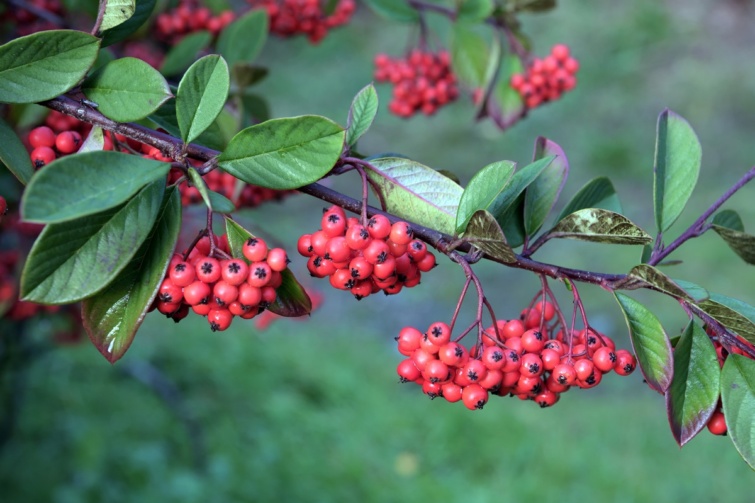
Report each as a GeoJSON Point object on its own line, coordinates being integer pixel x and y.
{"type": "Point", "coordinates": [543, 193]}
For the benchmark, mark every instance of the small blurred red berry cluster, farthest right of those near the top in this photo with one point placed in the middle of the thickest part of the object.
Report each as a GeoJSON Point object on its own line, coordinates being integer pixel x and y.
{"type": "Point", "coordinates": [548, 78]}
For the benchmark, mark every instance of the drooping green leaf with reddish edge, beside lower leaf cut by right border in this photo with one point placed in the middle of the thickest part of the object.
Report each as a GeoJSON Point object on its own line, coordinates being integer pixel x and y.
{"type": "Point", "coordinates": [693, 395]}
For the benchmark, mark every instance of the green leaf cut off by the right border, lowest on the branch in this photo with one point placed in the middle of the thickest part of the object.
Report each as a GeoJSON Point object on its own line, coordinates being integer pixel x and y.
{"type": "Point", "coordinates": [738, 399]}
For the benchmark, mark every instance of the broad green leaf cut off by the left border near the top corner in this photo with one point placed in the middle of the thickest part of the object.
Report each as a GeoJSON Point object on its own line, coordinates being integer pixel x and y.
{"type": "Point", "coordinates": [41, 66]}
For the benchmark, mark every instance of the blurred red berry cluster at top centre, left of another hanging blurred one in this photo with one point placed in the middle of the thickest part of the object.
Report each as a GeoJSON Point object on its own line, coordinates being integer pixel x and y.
{"type": "Point", "coordinates": [423, 82]}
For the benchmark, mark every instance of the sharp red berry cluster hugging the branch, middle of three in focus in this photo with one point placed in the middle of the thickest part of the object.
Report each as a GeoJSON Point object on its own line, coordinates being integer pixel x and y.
{"type": "Point", "coordinates": [365, 259]}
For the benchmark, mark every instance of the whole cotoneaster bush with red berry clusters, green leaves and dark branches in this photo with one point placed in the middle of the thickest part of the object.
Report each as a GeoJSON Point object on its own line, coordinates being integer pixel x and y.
{"type": "Point", "coordinates": [146, 113]}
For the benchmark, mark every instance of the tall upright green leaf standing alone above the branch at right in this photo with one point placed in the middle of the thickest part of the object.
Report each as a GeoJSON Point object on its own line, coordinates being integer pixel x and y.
{"type": "Point", "coordinates": [677, 165]}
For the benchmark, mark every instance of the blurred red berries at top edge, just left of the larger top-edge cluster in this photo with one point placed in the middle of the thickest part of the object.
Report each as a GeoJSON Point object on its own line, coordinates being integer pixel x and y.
{"type": "Point", "coordinates": [187, 18]}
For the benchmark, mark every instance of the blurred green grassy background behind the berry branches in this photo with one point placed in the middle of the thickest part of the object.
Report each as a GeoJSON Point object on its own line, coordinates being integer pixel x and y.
{"type": "Point", "coordinates": [312, 411]}
